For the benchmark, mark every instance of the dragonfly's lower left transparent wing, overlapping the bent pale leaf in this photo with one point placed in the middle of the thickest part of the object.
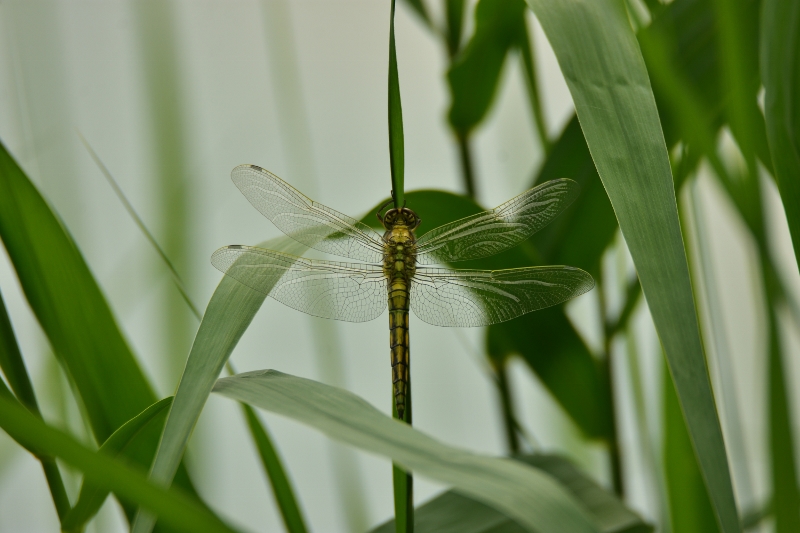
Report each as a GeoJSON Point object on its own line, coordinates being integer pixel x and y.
{"type": "Point", "coordinates": [341, 291]}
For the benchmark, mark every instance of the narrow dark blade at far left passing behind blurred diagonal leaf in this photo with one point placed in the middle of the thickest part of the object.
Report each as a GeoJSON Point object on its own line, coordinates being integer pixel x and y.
{"type": "Point", "coordinates": [16, 373]}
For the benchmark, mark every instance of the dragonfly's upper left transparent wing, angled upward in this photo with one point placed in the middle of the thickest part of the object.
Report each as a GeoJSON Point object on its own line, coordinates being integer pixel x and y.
{"type": "Point", "coordinates": [305, 220]}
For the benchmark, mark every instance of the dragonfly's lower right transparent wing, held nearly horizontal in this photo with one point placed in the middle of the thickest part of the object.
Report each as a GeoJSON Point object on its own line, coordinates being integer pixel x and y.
{"type": "Point", "coordinates": [465, 298]}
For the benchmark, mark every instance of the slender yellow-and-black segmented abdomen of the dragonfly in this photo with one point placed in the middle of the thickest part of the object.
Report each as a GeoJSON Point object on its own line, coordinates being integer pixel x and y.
{"type": "Point", "coordinates": [398, 341]}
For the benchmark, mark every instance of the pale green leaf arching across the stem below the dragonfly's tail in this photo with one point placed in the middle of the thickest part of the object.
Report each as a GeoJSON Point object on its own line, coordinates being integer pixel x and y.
{"type": "Point", "coordinates": [532, 498]}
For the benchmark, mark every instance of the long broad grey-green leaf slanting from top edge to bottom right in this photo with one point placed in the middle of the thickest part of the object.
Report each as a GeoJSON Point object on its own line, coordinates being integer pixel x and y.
{"type": "Point", "coordinates": [601, 61]}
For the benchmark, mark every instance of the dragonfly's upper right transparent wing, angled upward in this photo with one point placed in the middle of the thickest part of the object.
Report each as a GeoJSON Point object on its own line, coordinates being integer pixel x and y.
{"type": "Point", "coordinates": [493, 231]}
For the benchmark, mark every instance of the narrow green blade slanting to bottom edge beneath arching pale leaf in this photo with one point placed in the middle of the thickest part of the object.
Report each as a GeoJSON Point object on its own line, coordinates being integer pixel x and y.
{"type": "Point", "coordinates": [281, 487]}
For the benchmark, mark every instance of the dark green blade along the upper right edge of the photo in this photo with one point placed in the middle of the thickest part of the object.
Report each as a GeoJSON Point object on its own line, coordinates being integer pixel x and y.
{"type": "Point", "coordinates": [780, 73]}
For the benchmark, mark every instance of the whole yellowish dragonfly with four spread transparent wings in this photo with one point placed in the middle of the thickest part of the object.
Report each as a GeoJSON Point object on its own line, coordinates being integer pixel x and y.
{"type": "Point", "coordinates": [397, 269]}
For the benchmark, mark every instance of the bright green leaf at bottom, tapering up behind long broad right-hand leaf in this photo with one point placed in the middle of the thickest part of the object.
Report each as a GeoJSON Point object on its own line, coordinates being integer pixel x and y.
{"type": "Point", "coordinates": [690, 508]}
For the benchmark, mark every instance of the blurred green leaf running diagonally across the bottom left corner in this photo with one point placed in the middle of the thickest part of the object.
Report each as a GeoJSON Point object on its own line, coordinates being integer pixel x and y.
{"type": "Point", "coordinates": [176, 509]}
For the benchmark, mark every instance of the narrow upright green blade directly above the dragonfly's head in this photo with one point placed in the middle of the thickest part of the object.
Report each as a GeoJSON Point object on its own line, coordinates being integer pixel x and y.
{"type": "Point", "coordinates": [396, 143]}
